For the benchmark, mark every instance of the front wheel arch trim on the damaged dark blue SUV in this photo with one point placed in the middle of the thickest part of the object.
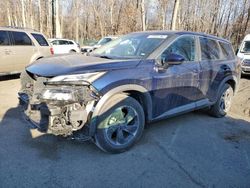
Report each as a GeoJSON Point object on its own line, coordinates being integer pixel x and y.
{"type": "Point", "coordinates": [136, 91]}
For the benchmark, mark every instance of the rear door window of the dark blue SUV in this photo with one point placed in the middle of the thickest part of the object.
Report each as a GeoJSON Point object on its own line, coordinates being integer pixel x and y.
{"type": "Point", "coordinates": [209, 49]}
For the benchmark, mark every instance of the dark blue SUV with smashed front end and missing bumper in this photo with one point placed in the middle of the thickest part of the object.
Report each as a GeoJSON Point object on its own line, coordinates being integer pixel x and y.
{"type": "Point", "coordinates": [109, 95]}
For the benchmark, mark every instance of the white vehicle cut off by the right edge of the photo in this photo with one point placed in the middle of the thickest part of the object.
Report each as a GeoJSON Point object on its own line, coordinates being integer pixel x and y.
{"type": "Point", "coordinates": [244, 55]}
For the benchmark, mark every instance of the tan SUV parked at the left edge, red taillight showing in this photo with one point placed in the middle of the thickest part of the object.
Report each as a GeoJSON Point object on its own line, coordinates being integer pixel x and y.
{"type": "Point", "coordinates": [20, 47]}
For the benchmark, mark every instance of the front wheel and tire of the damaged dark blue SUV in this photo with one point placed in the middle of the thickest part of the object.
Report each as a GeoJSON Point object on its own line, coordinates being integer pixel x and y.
{"type": "Point", "coordinates": [120, 124]}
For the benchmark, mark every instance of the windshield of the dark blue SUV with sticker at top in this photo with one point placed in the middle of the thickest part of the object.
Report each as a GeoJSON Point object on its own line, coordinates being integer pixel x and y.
{"type": "Point", "coordinates": [138, 45]}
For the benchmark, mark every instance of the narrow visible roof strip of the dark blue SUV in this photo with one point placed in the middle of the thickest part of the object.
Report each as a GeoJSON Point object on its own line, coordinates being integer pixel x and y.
{"type": "Point", "coordinates": [184, 33]}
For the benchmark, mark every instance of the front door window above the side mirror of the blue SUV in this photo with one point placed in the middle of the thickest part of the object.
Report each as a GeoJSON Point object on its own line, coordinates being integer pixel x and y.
{"type": "Point", "coordinates": [184, 46]}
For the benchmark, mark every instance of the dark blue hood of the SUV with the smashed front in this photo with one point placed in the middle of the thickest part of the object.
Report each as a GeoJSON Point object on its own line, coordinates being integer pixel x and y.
{"type": "Point", "coordinates": [75, 64]}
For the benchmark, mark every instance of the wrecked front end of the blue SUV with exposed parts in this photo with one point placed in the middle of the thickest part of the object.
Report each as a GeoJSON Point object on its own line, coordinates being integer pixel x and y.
{"type": "Point", "coordinates": [60, 105]}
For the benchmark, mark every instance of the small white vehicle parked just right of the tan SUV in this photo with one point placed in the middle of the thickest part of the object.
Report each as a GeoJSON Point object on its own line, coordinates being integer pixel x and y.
{"type": "Point", "coordinates": [64, 46]}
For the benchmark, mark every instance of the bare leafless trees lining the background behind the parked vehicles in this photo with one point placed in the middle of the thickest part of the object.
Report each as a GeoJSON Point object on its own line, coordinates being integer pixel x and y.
{"type": "Point", "coordinates": [92, 19]}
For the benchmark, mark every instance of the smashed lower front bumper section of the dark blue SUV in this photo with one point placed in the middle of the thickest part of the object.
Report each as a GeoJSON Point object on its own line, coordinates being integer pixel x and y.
{"type": "Point", "coordinates": [58, 119]}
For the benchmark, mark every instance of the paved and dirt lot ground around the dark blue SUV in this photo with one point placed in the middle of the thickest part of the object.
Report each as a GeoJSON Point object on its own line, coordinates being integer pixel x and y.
{"type": "Point", "coordinates": [192, 150]}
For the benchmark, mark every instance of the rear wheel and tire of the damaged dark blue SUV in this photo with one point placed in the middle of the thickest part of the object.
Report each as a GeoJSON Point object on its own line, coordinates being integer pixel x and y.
{"type": "Point", "coordinates": [223, 104]}
